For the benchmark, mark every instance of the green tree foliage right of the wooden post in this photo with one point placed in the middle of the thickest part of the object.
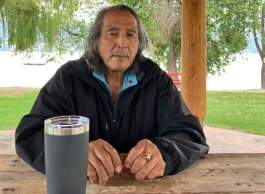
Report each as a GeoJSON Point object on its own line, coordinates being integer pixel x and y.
{"type": "Point", "coordinates": [228, 23]}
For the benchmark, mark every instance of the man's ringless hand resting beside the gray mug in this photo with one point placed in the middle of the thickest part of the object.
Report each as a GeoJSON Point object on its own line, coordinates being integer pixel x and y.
{"type": "Point", "coordinates": [103, 161]}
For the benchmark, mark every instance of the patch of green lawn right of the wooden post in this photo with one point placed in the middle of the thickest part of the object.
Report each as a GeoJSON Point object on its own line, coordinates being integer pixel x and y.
{"type": "Point", "coordinates": [244, 111]}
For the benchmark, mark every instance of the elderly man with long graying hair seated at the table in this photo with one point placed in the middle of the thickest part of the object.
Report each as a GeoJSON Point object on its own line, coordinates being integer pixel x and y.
{"type": "Point", "coordinates": [132, 104]}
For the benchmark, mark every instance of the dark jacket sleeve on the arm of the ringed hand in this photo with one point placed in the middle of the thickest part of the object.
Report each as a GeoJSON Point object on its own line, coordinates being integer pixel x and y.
{"type": "Point", "coordinates": [180, 140]}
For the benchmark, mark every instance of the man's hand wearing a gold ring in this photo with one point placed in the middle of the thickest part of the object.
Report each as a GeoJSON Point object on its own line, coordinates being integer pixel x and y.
{"type": "Point", "coordinates": [143, 167]}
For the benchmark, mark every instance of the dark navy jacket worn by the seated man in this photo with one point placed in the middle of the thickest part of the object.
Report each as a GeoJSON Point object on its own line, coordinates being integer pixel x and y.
{"type": "Point", "coordinates": [151, 109]}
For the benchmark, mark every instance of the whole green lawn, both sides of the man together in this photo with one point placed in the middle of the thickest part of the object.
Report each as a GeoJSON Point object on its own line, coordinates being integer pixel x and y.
{"type": "Point", "coordinates": [243, 111]}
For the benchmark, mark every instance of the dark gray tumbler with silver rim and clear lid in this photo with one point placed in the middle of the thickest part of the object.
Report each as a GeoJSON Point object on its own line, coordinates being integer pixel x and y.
{"type": "Point", "coordinates": [66, 154]}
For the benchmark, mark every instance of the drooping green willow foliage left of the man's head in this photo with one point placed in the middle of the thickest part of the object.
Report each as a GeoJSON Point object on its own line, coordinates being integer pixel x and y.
{"type": "Point", "coordinates": [31, 24]}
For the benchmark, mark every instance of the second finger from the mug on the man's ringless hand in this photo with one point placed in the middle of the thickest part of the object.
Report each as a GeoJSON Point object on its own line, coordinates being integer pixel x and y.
{"type": "Point", "coordinates": [106, 160]}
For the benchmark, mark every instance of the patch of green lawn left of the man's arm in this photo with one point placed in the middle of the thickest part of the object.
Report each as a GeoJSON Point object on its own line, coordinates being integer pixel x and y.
{"type": "Point", "coordinates": [13, 107]}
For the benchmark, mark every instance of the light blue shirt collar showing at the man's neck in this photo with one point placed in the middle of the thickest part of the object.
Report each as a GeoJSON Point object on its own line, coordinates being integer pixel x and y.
{"type": "Point", "coordinates": [129, 80]}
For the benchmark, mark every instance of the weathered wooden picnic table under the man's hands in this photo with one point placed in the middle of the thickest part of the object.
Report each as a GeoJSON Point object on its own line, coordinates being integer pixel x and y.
{"type": "Point", "coordinates": [217, 173]}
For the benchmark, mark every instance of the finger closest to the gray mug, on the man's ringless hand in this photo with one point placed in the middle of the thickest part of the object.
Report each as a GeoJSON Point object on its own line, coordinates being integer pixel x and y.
{"type": "Point", "coordinates": [100, 169]}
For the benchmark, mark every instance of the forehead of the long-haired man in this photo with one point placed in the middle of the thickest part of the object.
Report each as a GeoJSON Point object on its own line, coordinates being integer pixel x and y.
{"type": "Point", "coordinates": [116, 18]}
